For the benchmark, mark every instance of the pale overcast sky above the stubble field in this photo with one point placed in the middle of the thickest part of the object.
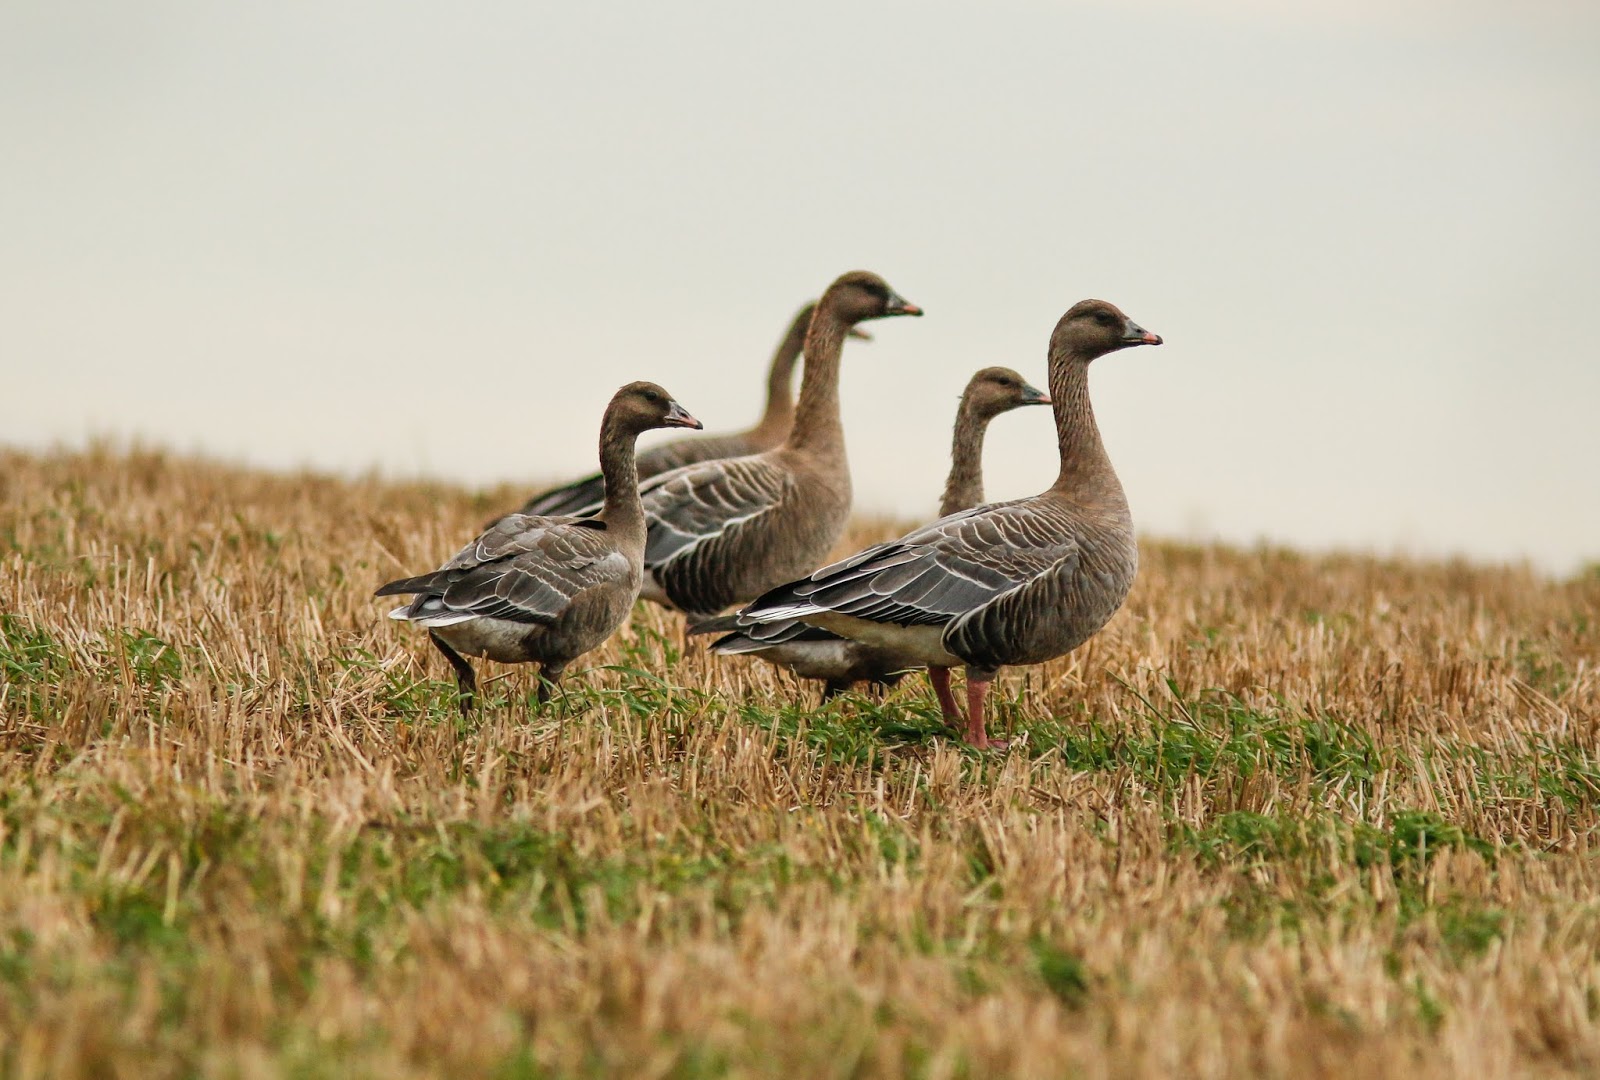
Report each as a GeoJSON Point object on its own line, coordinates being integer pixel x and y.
{"type": "Point", "coordinates": [433, 239]}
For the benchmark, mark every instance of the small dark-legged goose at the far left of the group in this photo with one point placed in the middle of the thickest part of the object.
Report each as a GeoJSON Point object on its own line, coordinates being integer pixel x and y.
{"type": "Point", "coordinates": [546, 590]}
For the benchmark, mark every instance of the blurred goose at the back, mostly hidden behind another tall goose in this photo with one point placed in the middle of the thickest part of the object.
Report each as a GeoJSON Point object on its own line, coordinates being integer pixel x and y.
{"type": "Point", "coordinates": [769, 433]}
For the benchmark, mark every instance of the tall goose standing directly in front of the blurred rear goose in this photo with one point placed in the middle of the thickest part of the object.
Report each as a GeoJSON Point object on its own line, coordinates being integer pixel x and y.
{"type": "Point", "coordinates": [724, 532]}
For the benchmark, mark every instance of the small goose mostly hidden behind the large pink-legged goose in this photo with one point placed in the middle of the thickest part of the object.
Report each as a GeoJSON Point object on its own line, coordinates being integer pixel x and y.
{"type": "Point", "coordinates": [817, 654]}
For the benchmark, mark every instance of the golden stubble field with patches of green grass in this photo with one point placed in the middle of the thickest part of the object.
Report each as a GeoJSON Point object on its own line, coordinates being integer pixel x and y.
{"type": "Point", "coordinates": [1287, 817]}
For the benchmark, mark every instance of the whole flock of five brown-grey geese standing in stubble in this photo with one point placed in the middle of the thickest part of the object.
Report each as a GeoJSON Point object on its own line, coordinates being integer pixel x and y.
{"type": "Point", "coordinates": [714, 522]}
